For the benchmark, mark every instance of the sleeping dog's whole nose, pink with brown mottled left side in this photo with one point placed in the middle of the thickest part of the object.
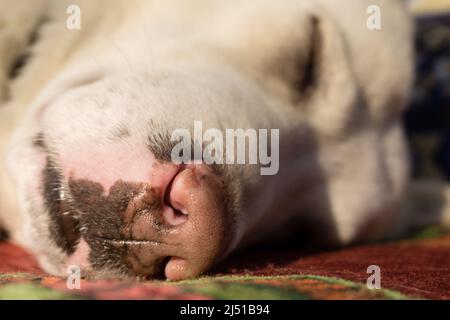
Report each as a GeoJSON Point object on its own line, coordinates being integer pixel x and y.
{"type": "Point", "coordinates": [188, 221]}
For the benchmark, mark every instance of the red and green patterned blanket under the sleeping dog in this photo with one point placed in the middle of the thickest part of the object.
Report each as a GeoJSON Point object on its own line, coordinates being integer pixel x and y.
{"type": "Point", "coordinates": [416, 268]}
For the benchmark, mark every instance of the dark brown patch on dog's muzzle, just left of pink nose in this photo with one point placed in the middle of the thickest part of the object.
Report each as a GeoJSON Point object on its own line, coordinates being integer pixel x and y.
{"type": "Point", "coordinates": [108, 220]}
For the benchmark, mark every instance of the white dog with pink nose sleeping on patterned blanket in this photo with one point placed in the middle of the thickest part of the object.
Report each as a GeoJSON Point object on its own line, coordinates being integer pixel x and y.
{"type": "Point", "coordinates": [86, 125]}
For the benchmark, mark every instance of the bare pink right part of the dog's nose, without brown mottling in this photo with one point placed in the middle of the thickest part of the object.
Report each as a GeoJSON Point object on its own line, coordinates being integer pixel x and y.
{"type": "Point", "coordinates": [201, 221]}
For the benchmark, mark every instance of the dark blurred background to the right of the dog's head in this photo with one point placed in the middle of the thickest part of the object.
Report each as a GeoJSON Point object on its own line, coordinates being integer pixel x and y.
{"type": "Point", "coordinates": [428, 118]}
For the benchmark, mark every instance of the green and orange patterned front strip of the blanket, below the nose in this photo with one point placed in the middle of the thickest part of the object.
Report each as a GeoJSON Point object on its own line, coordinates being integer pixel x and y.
{"type": "Point", "coordinates": [292, 287]}
